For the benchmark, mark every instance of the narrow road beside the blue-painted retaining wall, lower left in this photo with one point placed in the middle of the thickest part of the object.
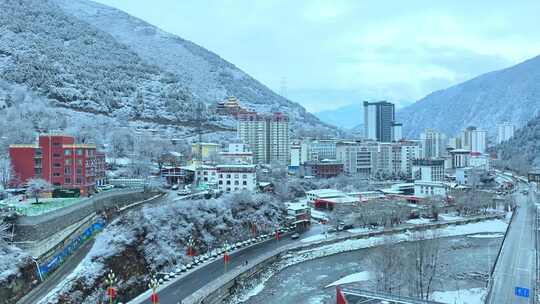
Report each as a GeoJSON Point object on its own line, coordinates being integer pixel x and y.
{"type": "Point", "coordinates": [58, 276]}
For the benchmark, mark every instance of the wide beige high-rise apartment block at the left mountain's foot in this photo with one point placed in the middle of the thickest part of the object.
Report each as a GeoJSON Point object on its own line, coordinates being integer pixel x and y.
{"type": "Point", "coordinates": [267, 136]}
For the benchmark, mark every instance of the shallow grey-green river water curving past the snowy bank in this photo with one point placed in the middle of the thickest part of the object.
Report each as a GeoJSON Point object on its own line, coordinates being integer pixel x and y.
{"type": "Point", "coordinates": [465, 262]}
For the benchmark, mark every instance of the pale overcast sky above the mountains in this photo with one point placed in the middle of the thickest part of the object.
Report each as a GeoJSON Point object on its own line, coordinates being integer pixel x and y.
{"type": "Point", "coordinates": [334, 53]}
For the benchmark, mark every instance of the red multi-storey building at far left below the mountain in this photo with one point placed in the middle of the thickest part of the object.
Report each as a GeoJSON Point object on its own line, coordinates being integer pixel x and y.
{"type": "Point", "coordinates": [59, 160]}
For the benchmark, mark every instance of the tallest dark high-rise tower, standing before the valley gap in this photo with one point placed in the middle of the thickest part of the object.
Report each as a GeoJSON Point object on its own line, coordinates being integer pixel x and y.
{"type": "Point", "coordinates": [379, 121]}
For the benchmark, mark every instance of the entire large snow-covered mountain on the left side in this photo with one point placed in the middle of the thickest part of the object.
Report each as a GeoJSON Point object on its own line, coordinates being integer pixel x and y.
{"type": "Point", "coordinates": [92, 58]}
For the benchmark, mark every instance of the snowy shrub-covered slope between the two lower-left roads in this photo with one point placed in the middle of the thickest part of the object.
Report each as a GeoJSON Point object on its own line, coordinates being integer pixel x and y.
{"type": "Point", "coordinates": [155, 239]}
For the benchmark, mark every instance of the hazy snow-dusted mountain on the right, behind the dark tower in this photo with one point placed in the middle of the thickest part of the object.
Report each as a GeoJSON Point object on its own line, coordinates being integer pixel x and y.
{"type": "Point", "coordinates": [511, 94]}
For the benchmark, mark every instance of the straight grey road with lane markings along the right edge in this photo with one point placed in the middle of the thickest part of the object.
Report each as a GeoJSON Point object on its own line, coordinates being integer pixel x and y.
{"type": "Point", "coordinates": [516, 266]}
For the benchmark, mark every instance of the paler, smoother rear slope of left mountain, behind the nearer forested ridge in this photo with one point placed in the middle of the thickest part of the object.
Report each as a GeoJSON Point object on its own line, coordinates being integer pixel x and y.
{"type": "Point", "coordinates": [209, 77]}
